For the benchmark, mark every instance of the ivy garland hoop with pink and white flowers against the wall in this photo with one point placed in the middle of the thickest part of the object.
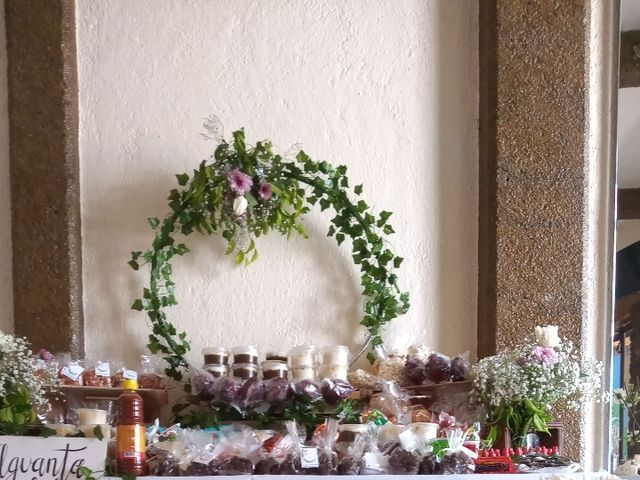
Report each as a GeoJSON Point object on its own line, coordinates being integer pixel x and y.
{"type": "Point", "coordinates": [244, 193]}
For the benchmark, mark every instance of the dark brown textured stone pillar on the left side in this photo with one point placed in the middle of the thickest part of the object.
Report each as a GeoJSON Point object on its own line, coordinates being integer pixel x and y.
{"type": "Point", "coordinates": [43, 124]}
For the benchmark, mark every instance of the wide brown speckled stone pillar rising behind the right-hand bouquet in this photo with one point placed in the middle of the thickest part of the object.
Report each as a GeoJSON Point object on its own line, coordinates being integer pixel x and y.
{"type": "Point", "coordinates": [536, 132]}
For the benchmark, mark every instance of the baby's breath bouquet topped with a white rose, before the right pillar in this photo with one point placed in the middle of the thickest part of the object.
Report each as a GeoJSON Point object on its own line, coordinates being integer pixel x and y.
{"type": "Point", "coordinates": [520, 386]}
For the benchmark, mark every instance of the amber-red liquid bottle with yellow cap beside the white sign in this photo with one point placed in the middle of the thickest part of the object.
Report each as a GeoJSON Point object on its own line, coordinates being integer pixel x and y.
{"type": "Point", "coordinates": [131, 433]}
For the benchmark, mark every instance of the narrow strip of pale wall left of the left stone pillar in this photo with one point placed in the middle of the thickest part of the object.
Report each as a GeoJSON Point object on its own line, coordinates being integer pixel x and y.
{"type": "Point", "coordinates": [6, 286]}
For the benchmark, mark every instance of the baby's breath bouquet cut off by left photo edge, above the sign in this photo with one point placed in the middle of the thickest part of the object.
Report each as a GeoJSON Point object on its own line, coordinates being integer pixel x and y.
{"type": "Point", "coordinates": [21, 390]}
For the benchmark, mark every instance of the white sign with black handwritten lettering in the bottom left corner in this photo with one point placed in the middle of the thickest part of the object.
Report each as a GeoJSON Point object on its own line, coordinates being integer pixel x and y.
{"type": "Point", "coordinates": [53, 458]}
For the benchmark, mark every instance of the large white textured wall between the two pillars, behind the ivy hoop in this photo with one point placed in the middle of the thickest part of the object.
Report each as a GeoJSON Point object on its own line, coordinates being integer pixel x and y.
{"type": "Point", "coordinates": [387, 87]}
